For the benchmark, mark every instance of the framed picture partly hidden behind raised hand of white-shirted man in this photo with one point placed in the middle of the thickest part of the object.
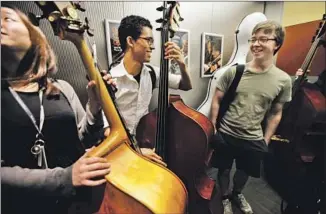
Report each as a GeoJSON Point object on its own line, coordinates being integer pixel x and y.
{"type": "Point", "coordinates": [181, 38]}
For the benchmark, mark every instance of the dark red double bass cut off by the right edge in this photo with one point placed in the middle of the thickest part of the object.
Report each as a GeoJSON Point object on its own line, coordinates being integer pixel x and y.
{"type": "Point", "coordinates": [303, 127]}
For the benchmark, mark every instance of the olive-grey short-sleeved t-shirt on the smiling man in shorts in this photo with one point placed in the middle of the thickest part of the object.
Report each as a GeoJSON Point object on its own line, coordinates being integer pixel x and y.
{"type": "Point", "coordinates": [254, 96]}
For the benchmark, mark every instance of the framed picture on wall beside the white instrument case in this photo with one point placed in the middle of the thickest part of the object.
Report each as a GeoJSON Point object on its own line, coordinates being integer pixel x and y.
{"type": "Point", "coordinates": [212, 52]}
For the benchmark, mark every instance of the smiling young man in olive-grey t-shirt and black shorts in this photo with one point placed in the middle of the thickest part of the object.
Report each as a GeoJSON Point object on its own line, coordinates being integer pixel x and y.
{"type": "Point", "coordinates": [262, 91]}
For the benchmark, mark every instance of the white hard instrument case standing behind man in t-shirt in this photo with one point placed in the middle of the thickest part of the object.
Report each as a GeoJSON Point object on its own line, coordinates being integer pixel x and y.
{"type": "Point", "coordinates": [239, 55]}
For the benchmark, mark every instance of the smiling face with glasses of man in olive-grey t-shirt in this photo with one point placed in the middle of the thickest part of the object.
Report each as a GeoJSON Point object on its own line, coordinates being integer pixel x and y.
{"type": "Point", "coordinates": [261, 49]}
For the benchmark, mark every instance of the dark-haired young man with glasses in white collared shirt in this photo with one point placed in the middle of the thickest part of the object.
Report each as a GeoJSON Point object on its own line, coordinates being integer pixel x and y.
{"type": "Point", "coordinates": [133, 78]}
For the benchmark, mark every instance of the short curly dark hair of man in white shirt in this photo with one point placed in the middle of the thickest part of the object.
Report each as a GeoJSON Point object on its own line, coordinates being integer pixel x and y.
{"type": "Point", "coordinates": [132, 26]}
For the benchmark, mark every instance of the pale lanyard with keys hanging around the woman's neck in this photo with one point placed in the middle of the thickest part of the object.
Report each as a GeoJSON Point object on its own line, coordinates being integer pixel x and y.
{"type": "Point", "coordinates": [38, 148]}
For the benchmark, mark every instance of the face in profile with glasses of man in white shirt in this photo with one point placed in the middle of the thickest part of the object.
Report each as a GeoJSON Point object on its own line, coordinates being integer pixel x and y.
{"type": "Point", "coordinates": [143, 46]}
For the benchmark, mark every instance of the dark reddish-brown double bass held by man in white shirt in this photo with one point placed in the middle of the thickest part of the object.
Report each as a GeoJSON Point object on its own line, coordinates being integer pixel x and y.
{"type": "Point", "coordinates": [182, 134]}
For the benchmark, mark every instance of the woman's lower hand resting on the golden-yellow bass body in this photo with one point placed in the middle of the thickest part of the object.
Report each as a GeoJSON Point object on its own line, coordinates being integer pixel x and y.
{"type": "Point", "coordinates": [90, 171]}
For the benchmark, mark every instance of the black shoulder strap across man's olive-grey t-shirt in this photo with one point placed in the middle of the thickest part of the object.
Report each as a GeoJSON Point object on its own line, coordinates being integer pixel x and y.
{"type": "Point", "coordinates": [230, 94]}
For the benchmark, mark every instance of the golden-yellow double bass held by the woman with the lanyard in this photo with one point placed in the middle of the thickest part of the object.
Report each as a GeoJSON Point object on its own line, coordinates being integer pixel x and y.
{"type": "Point", "coordinates": [135, 184]}
